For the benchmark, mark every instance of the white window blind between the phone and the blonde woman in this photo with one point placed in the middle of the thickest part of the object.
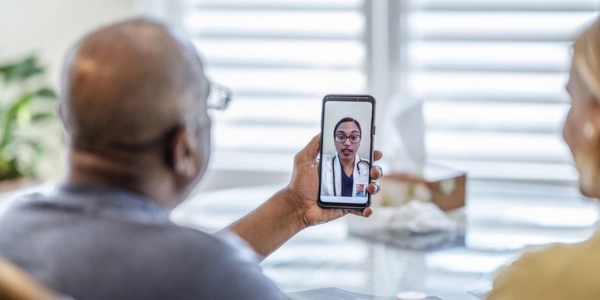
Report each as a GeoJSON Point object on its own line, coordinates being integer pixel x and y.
{"type": "Point", "coordinates": [492, 76]}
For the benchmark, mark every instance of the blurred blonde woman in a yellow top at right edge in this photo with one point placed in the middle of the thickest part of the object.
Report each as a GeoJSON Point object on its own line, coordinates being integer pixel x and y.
{"type": "Point", "coordinates": [568, 271]}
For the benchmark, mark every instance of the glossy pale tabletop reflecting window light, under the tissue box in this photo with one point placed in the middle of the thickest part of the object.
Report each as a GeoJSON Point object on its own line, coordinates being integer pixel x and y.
{"type": "Point", "coordinates": [499, 221]}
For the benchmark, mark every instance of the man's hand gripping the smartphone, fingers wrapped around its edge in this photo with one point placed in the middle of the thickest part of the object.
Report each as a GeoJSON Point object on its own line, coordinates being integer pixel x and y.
{"type": "Point", "coordinates": [304, 187]}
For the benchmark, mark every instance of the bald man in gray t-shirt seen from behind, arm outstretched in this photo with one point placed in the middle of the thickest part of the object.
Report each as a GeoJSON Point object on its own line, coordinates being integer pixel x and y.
{"type": "Point", "coordinates": [134, 108]}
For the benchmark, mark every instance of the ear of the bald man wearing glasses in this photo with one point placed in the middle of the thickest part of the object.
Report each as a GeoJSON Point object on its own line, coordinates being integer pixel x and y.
{"type": "Point", "coordinates": [184, 153]}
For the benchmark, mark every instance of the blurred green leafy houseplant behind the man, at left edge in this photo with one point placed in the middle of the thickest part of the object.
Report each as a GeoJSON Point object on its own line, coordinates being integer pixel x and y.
{"type": "Point", "coordinates": [26, 107]}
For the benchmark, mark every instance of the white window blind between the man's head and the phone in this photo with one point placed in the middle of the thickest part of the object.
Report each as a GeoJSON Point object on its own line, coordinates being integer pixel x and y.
{"type": "Point", "coordinates": [279, 58]}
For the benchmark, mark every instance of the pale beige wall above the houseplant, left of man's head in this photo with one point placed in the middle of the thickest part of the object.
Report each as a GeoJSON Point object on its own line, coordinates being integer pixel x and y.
{"type": "Point", "coordinates": [51, 27]}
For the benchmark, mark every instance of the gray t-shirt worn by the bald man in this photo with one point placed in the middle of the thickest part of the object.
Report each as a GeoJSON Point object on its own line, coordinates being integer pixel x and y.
{"type": "Point", "coordinates": [94, 242]}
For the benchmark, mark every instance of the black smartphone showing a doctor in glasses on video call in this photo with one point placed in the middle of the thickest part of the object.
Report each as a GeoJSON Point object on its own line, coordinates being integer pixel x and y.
{"type": "Point", "coordinates": [346, 154]}
